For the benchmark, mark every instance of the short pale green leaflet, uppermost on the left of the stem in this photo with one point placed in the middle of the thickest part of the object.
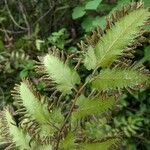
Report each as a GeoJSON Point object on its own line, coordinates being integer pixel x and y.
{"type": "Point", "coordinates": [64, 76]}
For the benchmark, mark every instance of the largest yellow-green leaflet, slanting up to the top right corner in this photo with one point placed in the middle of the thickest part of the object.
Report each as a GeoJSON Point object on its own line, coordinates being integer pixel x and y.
{"type": "Point", "coordinates": [122, 34]}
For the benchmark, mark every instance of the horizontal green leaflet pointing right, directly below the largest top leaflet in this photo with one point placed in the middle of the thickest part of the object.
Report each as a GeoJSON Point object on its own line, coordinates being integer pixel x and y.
{"type": "Point", "coordinates": [118, 78]}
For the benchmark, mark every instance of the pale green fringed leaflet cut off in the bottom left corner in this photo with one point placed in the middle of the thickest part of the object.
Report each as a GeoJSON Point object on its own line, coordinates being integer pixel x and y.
{"type": "Point", "coordinates": [13, 134]}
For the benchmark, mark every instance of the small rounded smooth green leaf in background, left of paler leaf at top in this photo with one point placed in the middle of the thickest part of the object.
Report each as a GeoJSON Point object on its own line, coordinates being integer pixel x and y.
{"type": "Point", "coordinates": [78, 12]}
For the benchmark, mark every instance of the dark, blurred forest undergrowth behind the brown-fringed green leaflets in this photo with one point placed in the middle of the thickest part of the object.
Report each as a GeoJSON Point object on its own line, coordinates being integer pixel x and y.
{"type": "Point", "coordinates": [29, 28]}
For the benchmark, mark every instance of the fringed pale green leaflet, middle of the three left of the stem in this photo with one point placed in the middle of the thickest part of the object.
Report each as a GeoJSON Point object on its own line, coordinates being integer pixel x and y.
{"type": "Point", "coordinates": [36, 110]}
